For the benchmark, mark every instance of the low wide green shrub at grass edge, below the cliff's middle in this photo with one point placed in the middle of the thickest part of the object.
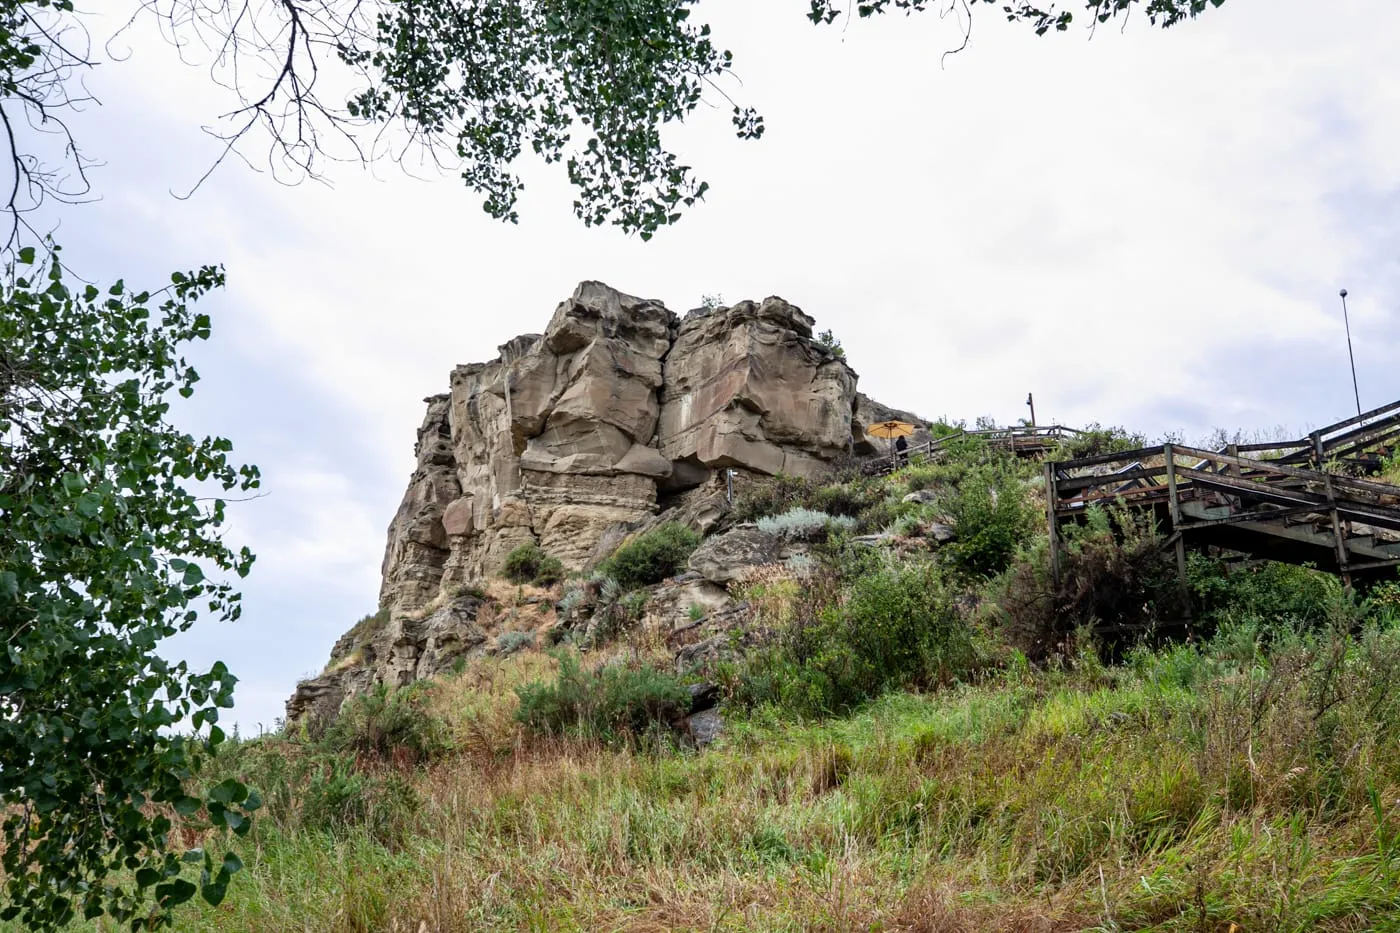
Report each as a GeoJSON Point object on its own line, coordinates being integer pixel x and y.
{"type": "Point", "coordinates": [614, 704]}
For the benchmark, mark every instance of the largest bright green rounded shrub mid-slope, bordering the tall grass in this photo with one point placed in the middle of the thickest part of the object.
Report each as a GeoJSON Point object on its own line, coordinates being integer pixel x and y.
{"type": "Point", "coordinates": [897, 627]}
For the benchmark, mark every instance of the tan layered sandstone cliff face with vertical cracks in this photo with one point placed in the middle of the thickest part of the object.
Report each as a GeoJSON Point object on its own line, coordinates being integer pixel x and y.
{"type": "Point", "coordinates": [618, 417]}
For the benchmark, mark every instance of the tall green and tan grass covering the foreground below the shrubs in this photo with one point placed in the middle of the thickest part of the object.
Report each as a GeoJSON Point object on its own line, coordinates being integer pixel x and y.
{"type": "Point", "coordinates": [1186, 789]}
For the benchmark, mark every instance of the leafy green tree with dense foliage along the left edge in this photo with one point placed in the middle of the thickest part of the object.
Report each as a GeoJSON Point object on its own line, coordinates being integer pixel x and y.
{"type": "Point", "coordinates": [104, 553]}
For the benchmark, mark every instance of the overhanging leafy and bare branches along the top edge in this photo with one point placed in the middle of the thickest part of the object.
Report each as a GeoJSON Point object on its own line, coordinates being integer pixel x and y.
{"type": "Point", "coordinates": [471, 85]}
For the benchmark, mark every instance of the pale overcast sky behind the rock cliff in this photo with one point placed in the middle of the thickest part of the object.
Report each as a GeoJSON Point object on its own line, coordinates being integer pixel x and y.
{"type": "Point", "coordinates": [1147, 229]}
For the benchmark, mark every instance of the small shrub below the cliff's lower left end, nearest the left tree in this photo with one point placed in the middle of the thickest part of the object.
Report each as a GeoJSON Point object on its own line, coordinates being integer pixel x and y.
{"type": "Point", "coordinates": [393, 725]}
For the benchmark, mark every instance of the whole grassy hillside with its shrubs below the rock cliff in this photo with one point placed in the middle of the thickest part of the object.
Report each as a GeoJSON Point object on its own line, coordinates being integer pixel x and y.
{"type": "Point", "coordinates": [932, 739]}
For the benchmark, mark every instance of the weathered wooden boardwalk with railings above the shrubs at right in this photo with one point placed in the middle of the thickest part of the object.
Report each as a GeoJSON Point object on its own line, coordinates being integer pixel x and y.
{"type": "Point", "coordinates": [1300, 502]}
